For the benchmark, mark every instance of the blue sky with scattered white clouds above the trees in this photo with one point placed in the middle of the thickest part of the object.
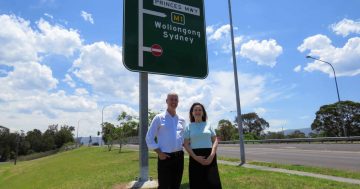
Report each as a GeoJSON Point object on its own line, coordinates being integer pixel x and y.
{"type": "Point", "coordinates": [61, 62]}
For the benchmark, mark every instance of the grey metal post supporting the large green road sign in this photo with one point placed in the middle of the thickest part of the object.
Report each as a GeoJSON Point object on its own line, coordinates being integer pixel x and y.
{"type": "Point", "coordinates": [143, 127]}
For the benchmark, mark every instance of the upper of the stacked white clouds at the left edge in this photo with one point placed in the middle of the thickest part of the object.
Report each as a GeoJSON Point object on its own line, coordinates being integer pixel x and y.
{"type": "Point", "coordinates": [20, 43]}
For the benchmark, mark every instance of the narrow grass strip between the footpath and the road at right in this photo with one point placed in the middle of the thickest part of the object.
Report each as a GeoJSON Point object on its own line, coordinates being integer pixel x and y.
{"type": "Point", "coordinates": [310, 169]}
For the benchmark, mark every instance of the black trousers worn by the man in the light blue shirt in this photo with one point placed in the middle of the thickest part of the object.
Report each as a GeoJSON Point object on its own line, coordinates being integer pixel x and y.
{"type": "Point", "coordinates": [170, 170]}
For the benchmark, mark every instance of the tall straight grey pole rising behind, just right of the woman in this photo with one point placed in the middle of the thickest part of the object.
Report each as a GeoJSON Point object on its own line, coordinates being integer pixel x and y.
{"type": "Point", "coordinates": [239, 120]}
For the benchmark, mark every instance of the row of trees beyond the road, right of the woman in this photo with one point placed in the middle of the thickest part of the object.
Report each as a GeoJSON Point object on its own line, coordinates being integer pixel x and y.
{"type": "Point", "coordinates": [332, 120]}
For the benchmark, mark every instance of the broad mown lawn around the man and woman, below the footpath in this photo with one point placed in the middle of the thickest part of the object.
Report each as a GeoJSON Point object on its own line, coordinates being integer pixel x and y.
{"type": "Point", "coordinates": [94, 168]}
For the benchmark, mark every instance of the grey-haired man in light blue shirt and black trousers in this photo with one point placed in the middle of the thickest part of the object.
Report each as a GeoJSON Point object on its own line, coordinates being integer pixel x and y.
{"type": "Point", "coordinates": [168, 129]}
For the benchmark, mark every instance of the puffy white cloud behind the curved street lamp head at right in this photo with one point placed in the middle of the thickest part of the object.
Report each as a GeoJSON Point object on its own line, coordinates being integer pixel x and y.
{"type": "Point", "coordinates": [344, 59]}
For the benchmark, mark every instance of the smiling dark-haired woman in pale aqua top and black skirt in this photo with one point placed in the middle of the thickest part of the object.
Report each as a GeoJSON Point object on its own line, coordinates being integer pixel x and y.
{"type": "Point", "coordinates": [201, 143]}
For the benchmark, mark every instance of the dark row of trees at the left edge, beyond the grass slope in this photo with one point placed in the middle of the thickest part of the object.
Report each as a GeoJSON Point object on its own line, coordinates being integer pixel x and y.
{"type": "Point", "coordinates": [13, 144]}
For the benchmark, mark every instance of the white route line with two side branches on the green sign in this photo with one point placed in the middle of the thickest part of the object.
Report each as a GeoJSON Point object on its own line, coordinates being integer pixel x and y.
{"type": "Point", "coordinates": [141, 48]}
